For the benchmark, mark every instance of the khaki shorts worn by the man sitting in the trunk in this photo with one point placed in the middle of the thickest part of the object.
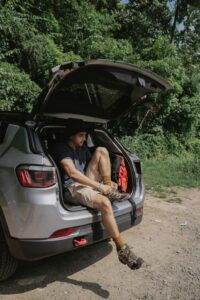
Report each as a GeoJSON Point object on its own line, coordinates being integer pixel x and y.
{"type": "Point", "coordinates": [81, 194]}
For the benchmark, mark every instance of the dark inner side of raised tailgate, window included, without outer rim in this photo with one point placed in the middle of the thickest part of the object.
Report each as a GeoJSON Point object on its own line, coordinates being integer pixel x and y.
{"type": "Point", "coordinates": [97, 91]}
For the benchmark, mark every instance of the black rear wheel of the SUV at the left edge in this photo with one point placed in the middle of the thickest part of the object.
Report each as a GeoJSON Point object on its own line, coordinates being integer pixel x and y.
{"type": "Point", "coordinates": [8, 264]}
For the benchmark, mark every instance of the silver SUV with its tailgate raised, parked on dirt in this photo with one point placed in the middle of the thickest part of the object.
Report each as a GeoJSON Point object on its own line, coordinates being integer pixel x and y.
{"type": "Point", "coordinates": [36, 221]}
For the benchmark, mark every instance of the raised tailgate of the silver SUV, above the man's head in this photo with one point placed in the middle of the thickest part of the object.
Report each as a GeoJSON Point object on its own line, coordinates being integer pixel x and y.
{"type": "Point", "coordinates": [96, 91]}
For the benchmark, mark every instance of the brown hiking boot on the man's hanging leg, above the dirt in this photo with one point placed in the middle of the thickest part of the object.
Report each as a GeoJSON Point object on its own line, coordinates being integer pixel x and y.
{"type": "Point", "coordinates": [127, 257]}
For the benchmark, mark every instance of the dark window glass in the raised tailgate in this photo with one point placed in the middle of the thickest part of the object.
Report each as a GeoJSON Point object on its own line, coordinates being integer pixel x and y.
{"type": "Point", "coordinates": [90, 99]}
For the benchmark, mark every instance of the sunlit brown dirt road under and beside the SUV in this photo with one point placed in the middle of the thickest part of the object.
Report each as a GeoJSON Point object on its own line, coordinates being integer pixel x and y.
{"type": "Point", "coordinates": [168, 239]}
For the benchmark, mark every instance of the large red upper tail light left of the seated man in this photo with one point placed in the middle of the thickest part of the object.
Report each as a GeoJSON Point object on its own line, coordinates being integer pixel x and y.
{"type": "Point", "coordinates": [36, 176]}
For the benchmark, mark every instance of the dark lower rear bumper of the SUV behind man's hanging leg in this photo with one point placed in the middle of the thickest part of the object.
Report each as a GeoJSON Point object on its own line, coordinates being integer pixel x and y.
{"type": "Point", "coordinates": [30, 250]}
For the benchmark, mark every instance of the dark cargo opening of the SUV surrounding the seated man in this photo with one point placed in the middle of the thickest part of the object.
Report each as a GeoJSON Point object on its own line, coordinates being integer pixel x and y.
{"type": "Point", "coordinates": [51, 134]}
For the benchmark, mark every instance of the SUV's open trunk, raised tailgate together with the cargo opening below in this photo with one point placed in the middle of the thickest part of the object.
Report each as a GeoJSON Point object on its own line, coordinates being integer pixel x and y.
{"type": "Point", "coordinates": [97, 92]}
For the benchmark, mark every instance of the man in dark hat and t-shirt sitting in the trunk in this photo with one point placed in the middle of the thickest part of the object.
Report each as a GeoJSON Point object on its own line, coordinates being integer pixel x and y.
{"type": "Point", "coordinates": [88, 179]}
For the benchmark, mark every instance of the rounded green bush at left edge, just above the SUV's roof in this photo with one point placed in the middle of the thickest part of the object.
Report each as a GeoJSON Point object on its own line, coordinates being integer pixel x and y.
{"type": "Point", "coordinates": [17, 91]}
